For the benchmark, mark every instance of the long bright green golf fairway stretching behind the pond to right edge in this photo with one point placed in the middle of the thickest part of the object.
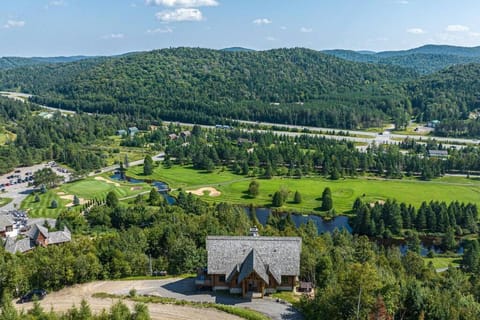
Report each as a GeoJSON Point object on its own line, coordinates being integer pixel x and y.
{"type": "Point", "coordinates": [233, 188]}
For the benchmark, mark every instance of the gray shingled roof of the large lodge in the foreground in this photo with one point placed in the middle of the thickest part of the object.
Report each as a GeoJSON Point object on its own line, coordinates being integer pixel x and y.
{"type": "Point", "coordinates": [275, 255]}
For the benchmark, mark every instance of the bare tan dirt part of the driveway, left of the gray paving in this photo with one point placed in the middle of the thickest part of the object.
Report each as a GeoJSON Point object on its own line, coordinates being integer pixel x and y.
{"type": "Point", "coordinates": [63, 300]}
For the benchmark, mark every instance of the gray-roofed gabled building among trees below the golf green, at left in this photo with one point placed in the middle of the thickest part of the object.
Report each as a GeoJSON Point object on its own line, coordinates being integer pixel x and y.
{"type": "Point", "coordinates": [37, 236]}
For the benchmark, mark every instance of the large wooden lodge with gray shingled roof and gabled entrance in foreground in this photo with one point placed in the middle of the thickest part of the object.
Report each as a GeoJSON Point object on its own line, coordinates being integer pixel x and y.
{"type": "Point", "coordinates": [253, 266]}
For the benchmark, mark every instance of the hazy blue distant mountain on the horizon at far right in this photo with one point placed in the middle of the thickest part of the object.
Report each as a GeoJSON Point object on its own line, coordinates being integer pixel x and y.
{"type": "Point", "coordinates": [426, 59]}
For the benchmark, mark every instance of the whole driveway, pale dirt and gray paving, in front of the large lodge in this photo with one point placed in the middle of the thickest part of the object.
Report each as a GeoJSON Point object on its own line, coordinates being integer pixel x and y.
{"type": "Point", "coordinates": [171, 288]}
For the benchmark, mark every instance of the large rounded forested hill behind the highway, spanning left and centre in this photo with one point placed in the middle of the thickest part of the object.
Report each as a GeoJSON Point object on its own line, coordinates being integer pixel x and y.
{"type": "Point", "coordinates": [297, 86]}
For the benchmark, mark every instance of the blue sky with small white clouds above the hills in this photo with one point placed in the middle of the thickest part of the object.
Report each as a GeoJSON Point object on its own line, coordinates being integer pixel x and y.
{"type": "Point", "coordinates": [105, 27]}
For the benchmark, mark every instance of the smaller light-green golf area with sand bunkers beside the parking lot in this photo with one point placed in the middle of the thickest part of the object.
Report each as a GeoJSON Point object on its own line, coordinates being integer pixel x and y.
{"type": "Point", "coordinates": [85, 189]}
